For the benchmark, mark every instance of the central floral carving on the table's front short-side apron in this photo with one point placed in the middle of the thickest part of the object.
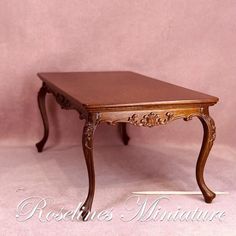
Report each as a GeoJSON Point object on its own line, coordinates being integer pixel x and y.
{"type": "Point", "coordinates": [151, 119]}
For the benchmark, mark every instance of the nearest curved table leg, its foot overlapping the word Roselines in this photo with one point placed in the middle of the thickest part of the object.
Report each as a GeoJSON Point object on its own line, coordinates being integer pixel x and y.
{"type": "Point", "coordinates": [87, 141]}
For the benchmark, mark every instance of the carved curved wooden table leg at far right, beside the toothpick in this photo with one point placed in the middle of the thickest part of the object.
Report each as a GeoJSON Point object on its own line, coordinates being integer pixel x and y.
{"type": "Point", "coordinates": [208, 139]}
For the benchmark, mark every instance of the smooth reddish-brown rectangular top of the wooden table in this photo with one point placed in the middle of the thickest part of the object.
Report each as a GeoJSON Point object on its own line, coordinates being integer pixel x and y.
{"type": "Point", "coordinates": [121, 88]}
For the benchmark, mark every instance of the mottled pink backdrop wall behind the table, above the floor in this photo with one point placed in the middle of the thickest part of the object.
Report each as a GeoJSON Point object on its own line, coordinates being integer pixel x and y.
{"type": "Point", "coordinates": [187, 42]}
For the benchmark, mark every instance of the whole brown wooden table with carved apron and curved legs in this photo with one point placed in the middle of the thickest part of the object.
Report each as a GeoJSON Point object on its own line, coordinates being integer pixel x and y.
{"type": "Point", "coordinates": [121, 97]}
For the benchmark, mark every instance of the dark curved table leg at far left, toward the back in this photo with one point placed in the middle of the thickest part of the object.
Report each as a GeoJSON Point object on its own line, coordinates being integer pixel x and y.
{"type": "Point", "coordinates": [41, 103]}
